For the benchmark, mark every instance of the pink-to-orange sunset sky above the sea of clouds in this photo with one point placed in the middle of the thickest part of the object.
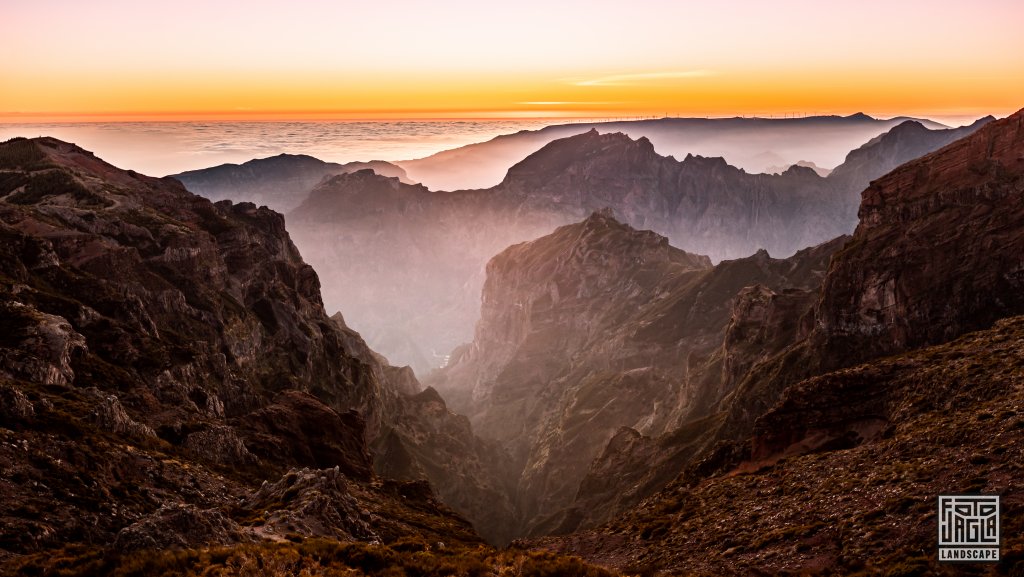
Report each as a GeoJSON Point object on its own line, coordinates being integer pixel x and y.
{"type": "Point", "coordinates": [136, 60]}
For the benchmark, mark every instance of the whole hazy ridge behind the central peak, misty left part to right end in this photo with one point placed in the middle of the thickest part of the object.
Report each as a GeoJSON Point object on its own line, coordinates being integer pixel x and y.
{"type": "Point", "coordinates": [407, 264]}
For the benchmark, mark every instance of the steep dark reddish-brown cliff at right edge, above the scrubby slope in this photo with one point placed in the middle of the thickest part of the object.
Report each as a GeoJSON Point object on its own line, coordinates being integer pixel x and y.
{"type": "Point", "coordinates": [938, 250]}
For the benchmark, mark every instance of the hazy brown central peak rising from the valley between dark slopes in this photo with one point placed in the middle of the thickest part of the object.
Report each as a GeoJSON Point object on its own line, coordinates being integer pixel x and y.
{"type": "Point", "coordinates": [598, 327]}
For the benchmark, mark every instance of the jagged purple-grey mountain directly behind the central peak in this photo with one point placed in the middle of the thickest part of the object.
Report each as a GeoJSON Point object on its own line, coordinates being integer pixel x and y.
{"type": "Point", "coordinates": [703, 204]}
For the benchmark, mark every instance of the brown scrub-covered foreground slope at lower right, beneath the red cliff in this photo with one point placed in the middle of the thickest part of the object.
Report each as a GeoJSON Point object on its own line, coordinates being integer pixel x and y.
{"type": "Point", "coordinates": [950, 423]}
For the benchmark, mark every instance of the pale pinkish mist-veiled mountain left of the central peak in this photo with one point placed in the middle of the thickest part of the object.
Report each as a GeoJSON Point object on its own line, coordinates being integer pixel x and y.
{"type": "Point", "coordinates": [407, 264]}
